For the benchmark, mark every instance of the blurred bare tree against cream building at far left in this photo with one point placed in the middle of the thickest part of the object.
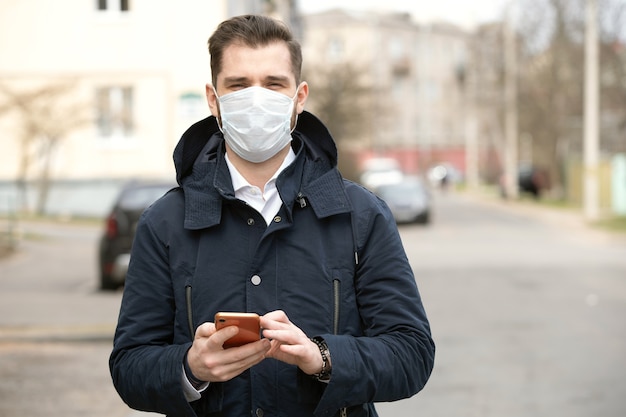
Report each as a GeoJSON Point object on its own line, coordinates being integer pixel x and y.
{"type": "Point", "coordinates": [45, 116]}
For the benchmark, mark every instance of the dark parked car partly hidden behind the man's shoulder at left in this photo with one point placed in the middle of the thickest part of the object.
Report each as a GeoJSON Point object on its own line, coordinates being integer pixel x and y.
{"type": "Point", "coordinates": [119, 230]}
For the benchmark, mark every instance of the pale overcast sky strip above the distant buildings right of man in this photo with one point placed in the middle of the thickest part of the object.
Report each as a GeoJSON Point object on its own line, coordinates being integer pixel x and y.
{"type": "Point", "coordinates": [462, 12]}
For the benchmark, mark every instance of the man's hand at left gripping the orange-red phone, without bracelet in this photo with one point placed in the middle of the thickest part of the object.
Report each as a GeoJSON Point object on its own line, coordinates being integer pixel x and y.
{"type": "Point", "coordinates": [209, 361]}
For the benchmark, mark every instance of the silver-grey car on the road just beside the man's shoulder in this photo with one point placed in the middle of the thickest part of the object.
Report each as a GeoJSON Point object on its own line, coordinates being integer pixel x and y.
{"type": "Point", "coordinates": [409, 200]}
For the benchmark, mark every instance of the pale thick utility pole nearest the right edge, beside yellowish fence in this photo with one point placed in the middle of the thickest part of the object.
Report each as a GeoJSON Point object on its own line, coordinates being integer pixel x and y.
{"type": "Point", "coordinates": [592, 111]}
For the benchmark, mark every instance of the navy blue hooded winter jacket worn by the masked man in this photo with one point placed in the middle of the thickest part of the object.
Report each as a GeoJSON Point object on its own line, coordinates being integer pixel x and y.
{"type": "Point", "coordinates": [332, 259]}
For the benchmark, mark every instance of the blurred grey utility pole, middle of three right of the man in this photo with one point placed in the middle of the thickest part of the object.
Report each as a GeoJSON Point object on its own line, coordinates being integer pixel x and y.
{"type": "Point", "coordinates": [510, 105]}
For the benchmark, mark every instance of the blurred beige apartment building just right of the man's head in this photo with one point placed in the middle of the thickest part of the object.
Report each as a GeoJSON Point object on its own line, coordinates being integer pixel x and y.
{"type": "Point", "coordinates": [415, 76]}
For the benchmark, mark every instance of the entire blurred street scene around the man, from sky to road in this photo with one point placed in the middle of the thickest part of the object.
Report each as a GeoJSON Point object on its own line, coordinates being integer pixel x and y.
{"type": "Point", "coordinates": [506, 120]}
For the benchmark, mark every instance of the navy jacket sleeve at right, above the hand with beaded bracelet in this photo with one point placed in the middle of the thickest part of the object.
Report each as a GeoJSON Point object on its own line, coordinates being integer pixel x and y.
{"type": "Point", "coordinates": [395, 357]}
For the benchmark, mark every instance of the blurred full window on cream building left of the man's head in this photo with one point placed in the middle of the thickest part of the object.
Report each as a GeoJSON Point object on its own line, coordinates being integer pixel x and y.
{"type": "Point", "coordinates": [115, 112]}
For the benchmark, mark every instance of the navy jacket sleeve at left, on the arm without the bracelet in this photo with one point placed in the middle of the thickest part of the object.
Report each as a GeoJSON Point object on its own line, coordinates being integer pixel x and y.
{"type": "Point", "coordinates": [145, 365]}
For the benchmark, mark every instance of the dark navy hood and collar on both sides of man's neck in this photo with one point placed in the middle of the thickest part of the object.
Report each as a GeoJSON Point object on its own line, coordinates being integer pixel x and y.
{"type": "Point", "coordinates": [312, 179]}
